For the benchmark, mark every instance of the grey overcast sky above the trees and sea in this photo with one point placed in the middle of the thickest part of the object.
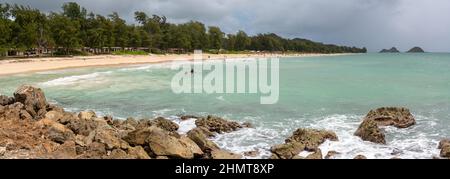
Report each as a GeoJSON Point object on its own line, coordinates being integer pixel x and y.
{"type": "Point", "coordinates": [375, 24]}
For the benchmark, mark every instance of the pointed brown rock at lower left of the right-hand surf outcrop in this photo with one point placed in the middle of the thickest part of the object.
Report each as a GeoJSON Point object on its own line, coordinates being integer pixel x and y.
{"type": "Point", "coordinates": [369, 131]}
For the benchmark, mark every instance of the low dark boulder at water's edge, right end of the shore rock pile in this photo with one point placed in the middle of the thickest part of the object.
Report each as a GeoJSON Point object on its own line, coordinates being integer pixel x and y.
{"type": "Point", "coordinates": [217, 124]}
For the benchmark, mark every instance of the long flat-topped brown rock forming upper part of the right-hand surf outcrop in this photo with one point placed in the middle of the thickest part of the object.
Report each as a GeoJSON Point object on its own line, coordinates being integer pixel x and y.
{"type": "Point", "coordinates": [392, 116]}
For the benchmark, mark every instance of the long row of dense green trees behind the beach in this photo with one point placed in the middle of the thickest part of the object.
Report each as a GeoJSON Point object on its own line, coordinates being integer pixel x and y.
{"type": "Point", "coordinates": [24, 28]}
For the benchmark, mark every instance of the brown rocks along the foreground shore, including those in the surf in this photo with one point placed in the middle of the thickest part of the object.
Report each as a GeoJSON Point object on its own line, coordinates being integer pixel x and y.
{"type": "Point", "coordinates": [31, 128]}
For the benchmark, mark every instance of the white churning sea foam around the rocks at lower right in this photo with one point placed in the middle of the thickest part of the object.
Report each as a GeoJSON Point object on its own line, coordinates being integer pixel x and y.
{"type": "Point", "coordinates": [407, 143]}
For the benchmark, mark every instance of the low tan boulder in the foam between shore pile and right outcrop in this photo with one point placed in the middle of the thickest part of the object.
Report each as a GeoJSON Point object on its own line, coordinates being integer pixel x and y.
{"type": "Point", "coordinates": [311, 138]}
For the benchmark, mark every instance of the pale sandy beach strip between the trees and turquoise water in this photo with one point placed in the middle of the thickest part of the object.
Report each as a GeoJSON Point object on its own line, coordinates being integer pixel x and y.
{"type": "Point", "coordinates": [17, 66]}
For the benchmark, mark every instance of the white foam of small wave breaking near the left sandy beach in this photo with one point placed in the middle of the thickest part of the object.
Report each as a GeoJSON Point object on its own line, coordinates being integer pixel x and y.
{"type": "Point", "coordinates": [71, 80]}
